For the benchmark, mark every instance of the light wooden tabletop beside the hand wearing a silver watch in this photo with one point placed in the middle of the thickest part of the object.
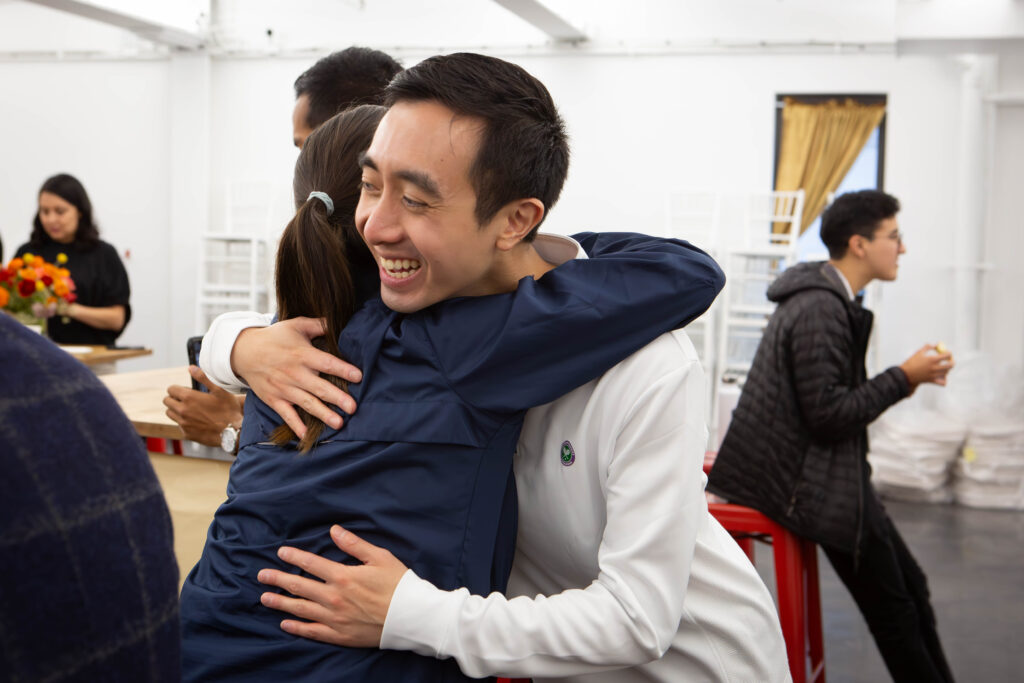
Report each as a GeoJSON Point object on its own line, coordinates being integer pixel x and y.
{"type": "Point", "coordinates": [141, 396]}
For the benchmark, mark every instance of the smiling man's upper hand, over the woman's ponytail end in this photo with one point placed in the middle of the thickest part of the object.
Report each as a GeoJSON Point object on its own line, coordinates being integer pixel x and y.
{"type": "Point", "coordinates": [283, 368]}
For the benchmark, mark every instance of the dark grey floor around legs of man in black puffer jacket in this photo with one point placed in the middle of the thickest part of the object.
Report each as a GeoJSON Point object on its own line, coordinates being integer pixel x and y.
{"type": "Point", "coordinates": [975, 565]}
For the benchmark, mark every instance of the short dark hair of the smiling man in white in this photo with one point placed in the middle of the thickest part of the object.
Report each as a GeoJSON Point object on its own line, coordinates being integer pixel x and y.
{"type": "Point", "coordinates": [525, 151]}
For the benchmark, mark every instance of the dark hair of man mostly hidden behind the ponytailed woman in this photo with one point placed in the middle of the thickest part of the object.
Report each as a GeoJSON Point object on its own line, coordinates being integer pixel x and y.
{"type": "Point", "coordinates": [354, 76]}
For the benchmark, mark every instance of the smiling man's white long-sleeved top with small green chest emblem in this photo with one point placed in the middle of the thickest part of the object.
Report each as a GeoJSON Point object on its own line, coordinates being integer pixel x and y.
{"type": "Point", "coordinates": [621, 575]}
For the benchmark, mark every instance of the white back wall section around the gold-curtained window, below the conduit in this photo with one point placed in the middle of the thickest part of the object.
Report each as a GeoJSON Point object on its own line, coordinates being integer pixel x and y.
{"type": "Point", "coordinates": [645, 125]}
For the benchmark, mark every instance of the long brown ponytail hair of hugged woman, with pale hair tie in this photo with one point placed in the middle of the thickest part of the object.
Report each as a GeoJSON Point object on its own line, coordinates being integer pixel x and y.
{"type": "Point", "coordinates": [314, 275]}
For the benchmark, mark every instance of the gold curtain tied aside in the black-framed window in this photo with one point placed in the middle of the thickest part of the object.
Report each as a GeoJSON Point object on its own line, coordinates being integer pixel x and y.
{"type": "Point", "coordinates": [820, 144]}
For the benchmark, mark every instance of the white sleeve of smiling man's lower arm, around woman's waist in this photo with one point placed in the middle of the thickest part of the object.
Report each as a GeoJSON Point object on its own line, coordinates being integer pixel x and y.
{"type": "Point", "coordinates": [631, 613]}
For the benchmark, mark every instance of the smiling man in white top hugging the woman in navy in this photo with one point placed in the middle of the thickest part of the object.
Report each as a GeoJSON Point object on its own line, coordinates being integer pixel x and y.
{"type": "Point", "coordinates": [618, 563]}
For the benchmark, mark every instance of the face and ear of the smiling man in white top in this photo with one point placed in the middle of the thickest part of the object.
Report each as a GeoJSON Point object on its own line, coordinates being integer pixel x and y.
{"type": "Point", "coordinates": [446, 247]}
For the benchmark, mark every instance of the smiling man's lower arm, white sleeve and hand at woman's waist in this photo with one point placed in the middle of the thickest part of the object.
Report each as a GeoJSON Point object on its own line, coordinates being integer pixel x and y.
{"type": "Point", "coordinates": [628, 614]}
